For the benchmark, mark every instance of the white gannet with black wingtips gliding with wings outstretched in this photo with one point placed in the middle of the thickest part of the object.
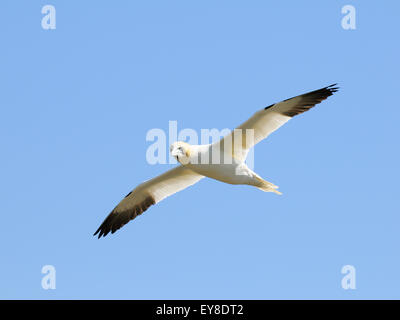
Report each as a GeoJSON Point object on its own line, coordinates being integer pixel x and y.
{"type": "Point", "coordinates": [223, 160]}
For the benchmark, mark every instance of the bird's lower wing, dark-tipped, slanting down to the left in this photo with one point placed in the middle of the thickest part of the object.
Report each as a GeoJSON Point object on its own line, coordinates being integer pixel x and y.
{"type": "Point", "coordinates": [147, 194]}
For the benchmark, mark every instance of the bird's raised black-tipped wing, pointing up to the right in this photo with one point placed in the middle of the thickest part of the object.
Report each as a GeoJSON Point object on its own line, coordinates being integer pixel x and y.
{"type": "Point", "coordinates": [269, 119]}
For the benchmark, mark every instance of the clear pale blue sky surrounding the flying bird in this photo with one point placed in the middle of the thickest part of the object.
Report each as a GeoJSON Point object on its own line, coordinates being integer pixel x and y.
{"type": "Point", "coordinates": [76, 105]}
